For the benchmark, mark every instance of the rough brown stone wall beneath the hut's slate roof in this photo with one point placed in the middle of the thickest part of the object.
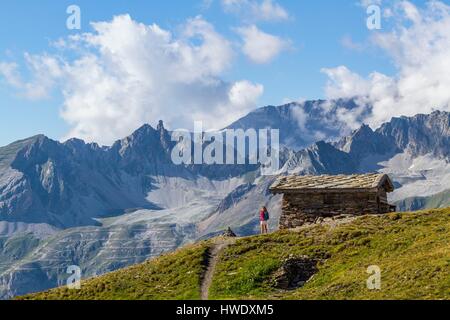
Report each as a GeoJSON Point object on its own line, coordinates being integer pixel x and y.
{"type": "Point", "coordinates": [303, 208]}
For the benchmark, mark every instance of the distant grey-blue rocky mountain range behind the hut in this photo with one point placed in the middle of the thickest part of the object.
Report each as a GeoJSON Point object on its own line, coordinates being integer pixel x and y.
{"type": "Point", "coordinates": [103, 208]}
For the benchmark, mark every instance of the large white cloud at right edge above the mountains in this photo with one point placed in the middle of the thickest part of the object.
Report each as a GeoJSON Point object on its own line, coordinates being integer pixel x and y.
{"type": "Point", "coordinates": [419, 46]}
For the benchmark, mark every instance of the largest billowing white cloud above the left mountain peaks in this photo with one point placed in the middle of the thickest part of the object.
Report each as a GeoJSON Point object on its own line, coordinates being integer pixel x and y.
{"type": "Point", "coordinates": [128, 73]}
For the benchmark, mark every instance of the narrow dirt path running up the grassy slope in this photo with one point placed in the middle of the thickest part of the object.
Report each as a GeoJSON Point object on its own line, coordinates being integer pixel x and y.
{"type": "Point", "coordinates": [216, 249]}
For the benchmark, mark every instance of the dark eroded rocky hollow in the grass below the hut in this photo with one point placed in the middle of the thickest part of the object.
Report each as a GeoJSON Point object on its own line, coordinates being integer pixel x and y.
{"type": "Point", "coordinates": [295, 272]}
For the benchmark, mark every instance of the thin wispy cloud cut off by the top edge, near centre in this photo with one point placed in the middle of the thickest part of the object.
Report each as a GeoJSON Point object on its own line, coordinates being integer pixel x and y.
{"type": "Point", "coordinates": [254, 10]}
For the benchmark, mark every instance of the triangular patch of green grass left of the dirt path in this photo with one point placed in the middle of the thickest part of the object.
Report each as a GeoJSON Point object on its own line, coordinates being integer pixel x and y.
{"type": "Point", "coordinates": [173, 276]}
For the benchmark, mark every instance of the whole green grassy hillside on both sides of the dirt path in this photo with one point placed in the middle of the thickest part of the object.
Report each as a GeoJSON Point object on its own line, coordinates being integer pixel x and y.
{"type": "Point", "coordinates": [412, 250]}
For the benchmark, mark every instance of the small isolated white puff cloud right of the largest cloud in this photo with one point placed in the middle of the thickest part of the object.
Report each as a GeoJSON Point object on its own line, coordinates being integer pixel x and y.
{"type": "Point", "coordinates": [261, 47]}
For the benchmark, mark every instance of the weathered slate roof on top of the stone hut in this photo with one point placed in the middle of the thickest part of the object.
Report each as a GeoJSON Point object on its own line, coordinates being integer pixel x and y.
{"type": "Point", "coordinates": [327, 182]}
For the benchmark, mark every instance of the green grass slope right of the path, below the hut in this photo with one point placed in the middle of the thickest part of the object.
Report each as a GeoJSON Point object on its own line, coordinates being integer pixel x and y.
{"type": "Point", "coordinates": [412, 250]}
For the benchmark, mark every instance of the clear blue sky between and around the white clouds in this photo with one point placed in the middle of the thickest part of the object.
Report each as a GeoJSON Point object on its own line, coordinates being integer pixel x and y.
{"type": "Point", "coordinates": [313, 33]}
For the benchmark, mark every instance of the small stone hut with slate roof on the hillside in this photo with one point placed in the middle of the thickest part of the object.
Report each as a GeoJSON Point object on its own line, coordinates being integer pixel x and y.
{"type": "Point", "coordinates": [307, 199]}
